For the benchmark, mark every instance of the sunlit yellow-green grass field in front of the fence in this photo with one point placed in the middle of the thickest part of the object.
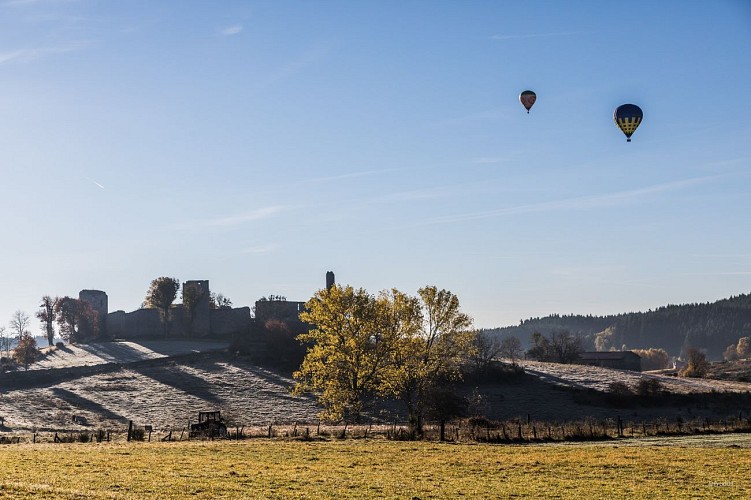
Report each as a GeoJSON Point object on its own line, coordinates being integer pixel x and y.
{"type": "Point", "coordinates": [260, 468]}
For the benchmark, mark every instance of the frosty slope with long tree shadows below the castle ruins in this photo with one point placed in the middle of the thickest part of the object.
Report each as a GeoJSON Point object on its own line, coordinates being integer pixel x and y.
{"type": "Point", "coordinates": [165, 396]}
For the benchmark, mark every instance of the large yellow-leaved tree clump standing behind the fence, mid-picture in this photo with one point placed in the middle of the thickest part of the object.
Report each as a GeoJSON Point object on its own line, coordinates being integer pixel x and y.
{"type": "Point", "coordinates": [392, 344]}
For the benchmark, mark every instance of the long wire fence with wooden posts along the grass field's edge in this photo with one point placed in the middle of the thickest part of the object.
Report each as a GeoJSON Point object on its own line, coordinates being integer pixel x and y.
{"type": "Point", "coordinates": [472, 430]}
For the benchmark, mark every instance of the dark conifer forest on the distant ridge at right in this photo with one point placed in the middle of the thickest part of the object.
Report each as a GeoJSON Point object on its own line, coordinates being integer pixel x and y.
{"type": "Point", "coordinates": [710, 327]}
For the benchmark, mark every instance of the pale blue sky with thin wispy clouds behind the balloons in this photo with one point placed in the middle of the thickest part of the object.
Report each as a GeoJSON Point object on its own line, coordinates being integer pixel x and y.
{"type": "Point", "coordinates": [259, 144]}
